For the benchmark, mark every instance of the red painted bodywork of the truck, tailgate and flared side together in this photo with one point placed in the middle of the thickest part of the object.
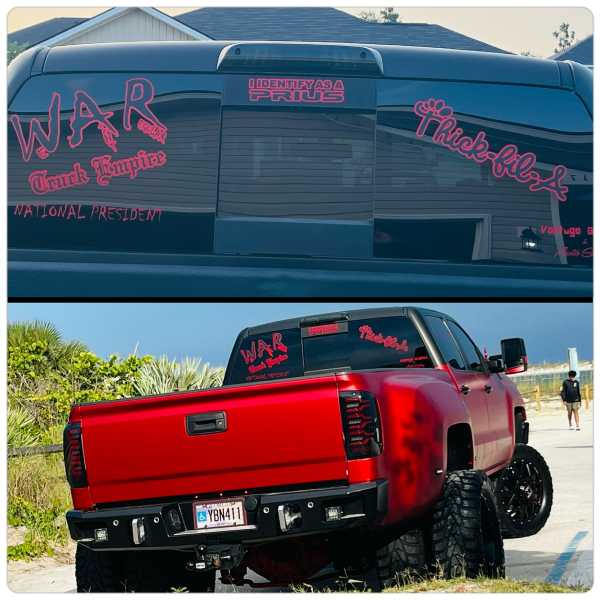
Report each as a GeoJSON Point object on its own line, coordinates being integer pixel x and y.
{"type": "Point", "coordinates": [287, 433]}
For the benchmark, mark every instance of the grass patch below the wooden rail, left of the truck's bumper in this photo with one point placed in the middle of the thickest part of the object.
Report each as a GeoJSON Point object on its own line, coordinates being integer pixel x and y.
{"type": "Point", "coordinates": [38, 497]}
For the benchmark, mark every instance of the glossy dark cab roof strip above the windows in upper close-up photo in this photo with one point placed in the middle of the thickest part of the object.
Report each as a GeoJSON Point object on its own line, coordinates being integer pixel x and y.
{"type": "Point", "coordinates": [395, 61]}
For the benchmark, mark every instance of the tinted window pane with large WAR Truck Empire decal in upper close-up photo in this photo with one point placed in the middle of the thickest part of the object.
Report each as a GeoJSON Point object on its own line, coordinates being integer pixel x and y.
{"type": "Point", "coordinates": [120, 162]}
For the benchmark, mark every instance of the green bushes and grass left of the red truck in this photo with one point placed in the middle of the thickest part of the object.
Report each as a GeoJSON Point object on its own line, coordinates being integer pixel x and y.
{"type": "Point", "coordinates": [46, 376]}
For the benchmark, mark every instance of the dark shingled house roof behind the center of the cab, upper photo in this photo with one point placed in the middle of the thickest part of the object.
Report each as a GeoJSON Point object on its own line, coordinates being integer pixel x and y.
{"type": "Point", "coordinates": [322, 25]}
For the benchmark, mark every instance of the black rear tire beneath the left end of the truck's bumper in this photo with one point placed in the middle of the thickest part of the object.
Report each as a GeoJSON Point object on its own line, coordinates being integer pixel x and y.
{"type": "Point", "coordinates": [137, 571]}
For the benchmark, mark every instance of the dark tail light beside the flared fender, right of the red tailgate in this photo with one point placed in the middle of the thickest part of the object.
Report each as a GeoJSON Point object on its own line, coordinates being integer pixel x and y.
{"type": "Point", "coordinates": [360, 419]}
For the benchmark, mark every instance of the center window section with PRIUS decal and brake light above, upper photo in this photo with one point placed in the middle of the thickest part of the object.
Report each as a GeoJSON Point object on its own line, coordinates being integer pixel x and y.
{"type": "Point", "coordinates": [297, 151]}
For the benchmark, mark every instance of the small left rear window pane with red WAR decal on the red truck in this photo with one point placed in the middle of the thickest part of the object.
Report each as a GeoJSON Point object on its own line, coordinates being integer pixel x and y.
{"type": "Point", "coordinates": [267, 356]}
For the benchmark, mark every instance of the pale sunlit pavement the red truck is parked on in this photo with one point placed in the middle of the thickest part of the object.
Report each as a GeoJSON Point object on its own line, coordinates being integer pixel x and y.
{"type": "Point", "coordinates": [562, 551]}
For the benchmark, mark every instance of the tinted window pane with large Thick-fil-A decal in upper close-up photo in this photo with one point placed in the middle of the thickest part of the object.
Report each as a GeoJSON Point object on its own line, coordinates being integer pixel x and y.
{"type": "Point", "coordinates": [456, 191]}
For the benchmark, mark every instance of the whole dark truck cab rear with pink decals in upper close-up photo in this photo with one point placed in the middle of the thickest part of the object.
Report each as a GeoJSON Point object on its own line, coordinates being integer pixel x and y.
{"type": "Point", "coordinates": [297, 169]}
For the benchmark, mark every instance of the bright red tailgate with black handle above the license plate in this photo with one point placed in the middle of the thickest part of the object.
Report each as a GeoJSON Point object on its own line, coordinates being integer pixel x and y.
{"type": "Point", "coordinates": [276, 433]}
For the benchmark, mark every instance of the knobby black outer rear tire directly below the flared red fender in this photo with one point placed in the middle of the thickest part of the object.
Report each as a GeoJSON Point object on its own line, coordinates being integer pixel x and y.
{"type": "Point", "coordinates": [466, 535]}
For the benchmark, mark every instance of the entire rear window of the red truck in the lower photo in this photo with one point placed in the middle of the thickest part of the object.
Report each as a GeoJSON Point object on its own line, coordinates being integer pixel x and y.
{"type": "Point", "coordinates": [361, 344]}
